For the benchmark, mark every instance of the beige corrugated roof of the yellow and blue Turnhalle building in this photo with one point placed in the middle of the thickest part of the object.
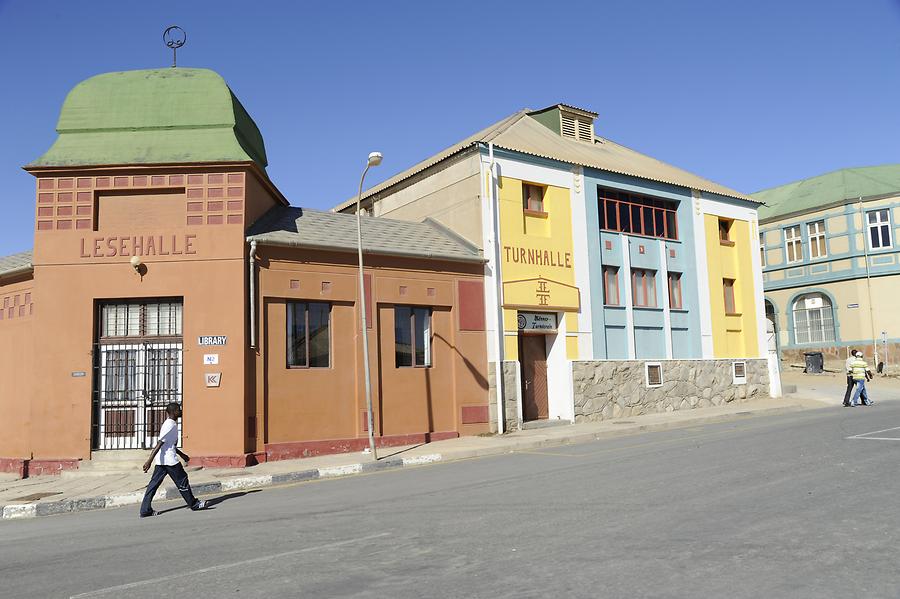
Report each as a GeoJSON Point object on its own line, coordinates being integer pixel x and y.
{"type": "Point", "coordinates": [519, 132]}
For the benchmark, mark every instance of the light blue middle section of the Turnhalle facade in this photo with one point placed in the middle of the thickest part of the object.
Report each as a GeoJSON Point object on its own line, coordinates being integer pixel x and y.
{"type": "Point", "coordinates": [605, 248]}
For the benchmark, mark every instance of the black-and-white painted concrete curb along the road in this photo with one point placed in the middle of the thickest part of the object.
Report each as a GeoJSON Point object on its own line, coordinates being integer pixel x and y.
{"type": "Point", "coordinates": [65, 506]}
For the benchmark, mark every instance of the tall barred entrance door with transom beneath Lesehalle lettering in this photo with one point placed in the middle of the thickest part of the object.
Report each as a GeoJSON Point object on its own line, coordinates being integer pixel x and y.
{"type": "Point", "coordinates": [138, 365]}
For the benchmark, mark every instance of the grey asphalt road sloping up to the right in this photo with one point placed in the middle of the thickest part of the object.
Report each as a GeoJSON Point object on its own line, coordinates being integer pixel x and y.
{"type": "Point", "coordinates": [783, 506]}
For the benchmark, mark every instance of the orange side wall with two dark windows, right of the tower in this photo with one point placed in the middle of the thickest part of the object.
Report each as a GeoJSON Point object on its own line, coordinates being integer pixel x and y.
{"type": "Point", "coordinates": [329, 403]}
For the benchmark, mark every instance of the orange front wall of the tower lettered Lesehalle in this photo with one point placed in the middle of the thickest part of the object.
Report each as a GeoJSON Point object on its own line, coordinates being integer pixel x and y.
{"type": "Point", "coordinates": [75, 268]}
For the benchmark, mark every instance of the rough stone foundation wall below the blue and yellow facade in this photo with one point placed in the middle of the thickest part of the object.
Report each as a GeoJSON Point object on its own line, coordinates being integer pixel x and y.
{"type": "Point", "coordinates": [614, 389]}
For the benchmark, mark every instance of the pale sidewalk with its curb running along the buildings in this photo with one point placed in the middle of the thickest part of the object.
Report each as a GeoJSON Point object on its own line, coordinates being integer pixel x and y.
{"type": "Point", "coordinates": [50, 495]}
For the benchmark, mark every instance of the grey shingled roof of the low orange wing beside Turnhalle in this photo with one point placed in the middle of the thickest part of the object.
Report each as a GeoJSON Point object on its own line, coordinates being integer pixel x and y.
{"type": "Point", "coordinates": [290, 226]}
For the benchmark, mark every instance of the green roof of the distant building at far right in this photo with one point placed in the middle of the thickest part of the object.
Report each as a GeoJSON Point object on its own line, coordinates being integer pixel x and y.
{"type": "Point", "coordinates": [836, 187]}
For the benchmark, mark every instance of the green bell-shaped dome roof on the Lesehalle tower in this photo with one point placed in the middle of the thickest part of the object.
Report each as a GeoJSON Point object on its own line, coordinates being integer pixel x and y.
{"type": "Point", "coordinates": [158, 116]}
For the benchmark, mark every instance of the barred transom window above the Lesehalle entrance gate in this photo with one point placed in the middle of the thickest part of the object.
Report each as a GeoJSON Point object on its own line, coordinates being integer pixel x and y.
{"type": "Point", "coordinates": [163, 319]}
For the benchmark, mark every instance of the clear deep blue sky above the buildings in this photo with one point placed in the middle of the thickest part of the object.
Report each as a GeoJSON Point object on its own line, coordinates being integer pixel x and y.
{"type": "Point", "coordinates": [748, 94]}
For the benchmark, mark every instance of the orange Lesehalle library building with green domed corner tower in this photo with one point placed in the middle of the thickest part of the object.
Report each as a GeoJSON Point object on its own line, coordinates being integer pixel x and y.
{"type": "Point", "coordinates": [168, 267]}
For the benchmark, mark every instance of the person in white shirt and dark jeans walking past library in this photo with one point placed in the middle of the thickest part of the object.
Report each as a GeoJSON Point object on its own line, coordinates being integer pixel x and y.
{"type": "Point", "coordinates": [165, 461]}
